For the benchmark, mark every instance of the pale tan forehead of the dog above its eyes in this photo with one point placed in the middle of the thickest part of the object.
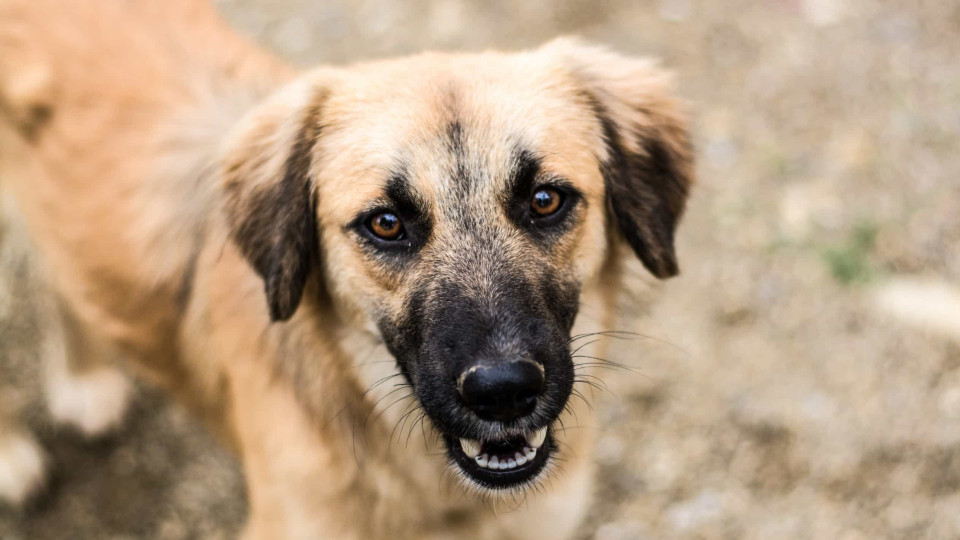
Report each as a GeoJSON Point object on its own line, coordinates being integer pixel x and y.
{"type": "Point", "coordinates": [441, 121]}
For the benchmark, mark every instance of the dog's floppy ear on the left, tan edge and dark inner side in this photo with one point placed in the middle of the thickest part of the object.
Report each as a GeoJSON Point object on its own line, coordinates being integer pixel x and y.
{"type": "Point", "coordinates": [269, 197]}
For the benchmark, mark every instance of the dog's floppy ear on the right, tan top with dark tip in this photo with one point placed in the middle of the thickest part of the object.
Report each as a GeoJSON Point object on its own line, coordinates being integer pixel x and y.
{"type": "Point", "coordinates": [646, 159]}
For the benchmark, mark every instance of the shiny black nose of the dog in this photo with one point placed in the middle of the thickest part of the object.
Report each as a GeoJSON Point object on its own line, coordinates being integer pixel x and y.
{"type": "Point", "coordinates": [502, 391]}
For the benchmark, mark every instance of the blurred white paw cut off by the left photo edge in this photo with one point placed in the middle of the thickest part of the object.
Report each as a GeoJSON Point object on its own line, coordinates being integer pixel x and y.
{"type": "Point", "coordinates": [22, 468]}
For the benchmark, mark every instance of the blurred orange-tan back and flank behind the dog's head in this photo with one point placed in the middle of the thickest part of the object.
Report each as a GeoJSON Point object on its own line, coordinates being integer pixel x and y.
{"type": "Point", "coordinates": [108, 157]}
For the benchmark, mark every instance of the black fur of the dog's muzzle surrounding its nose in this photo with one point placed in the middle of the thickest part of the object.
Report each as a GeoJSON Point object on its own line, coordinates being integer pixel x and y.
{"type": "Point", "coordinates": [447, 327]}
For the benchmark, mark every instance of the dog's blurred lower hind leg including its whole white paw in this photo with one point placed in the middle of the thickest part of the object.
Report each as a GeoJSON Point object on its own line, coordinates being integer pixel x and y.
{"type": "Point", "coordinates": [84, 388]}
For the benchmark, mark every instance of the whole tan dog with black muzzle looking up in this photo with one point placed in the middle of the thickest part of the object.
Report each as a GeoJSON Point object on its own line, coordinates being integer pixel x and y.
{"type": "Point", "coordinates": [366, 280]}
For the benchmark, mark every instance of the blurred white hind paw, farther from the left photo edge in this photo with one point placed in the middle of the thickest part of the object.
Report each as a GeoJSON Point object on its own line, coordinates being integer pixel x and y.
{"type": "Point", "coordinates": [93, 402]}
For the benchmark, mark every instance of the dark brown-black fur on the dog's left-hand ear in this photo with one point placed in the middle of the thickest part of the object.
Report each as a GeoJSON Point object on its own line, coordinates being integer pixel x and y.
{"type": "Point", "coordinates": [276, 227]}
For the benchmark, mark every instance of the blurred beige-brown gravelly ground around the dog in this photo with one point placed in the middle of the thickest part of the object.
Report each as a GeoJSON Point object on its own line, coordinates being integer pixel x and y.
{"type": "Point", "coordinates": [801, 379]}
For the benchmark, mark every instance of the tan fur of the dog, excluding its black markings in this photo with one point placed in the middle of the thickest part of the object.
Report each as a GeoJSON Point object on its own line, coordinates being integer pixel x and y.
{"type": "Point", "coordinates": [116, 120]}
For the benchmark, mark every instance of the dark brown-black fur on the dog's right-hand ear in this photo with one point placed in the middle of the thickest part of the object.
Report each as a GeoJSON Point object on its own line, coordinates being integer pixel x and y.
{"type": "Point", "coordinates": [646, 192]}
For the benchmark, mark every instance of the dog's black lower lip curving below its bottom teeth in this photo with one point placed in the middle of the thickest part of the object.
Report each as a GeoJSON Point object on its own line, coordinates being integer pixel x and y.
{"type": "Point", "coordinates": [498, 479]}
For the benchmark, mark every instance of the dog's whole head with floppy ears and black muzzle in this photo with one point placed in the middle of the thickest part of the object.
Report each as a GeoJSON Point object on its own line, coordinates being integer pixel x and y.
{"type": "Point", "coordinates": [457, 205]}
